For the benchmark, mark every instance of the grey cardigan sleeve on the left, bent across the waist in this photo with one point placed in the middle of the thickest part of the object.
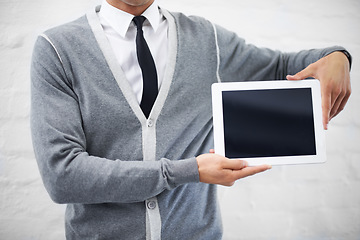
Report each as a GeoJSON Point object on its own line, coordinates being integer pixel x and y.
{"type": "Point", "coordinates": [70, 174]}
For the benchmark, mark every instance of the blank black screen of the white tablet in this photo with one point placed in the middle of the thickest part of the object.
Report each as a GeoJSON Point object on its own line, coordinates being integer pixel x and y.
{"type": "Point", "coordinates": [268, 123]}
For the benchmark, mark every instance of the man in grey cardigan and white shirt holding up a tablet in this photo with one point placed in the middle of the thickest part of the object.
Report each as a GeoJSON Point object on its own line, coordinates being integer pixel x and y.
{"type": "Point", "coordinates": [128, 175]}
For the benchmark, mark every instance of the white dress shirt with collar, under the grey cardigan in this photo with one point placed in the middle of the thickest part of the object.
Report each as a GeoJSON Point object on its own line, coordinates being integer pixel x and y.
{"type": "Point", "coordinates": [121, 33]}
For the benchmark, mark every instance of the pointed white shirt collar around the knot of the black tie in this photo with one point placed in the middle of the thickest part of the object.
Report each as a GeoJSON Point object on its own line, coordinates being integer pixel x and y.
{"type": "Point", "coordinates": [121, 20]}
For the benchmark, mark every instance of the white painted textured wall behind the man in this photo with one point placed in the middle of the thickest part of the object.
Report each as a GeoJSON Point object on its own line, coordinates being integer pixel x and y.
{"type": "Point", "coordinates": [292, 202]}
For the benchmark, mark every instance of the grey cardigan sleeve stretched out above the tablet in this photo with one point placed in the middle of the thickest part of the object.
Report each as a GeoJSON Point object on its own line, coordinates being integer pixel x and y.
{"type": "Point", "coordinates": [245, 62]}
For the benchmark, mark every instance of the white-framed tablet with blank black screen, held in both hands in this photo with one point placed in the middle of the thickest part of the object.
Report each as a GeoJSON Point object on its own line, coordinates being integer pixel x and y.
{"type": "Point", "coordinates": [269, 122]}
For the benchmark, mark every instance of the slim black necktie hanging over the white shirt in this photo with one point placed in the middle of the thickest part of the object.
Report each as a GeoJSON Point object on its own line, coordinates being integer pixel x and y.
{"type": "Point", "coordinates": [147, 65]}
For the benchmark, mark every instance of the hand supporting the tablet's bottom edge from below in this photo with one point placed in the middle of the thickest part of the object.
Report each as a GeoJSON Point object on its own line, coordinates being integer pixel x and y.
{"type": "Point", "coordinates": [216, 169]}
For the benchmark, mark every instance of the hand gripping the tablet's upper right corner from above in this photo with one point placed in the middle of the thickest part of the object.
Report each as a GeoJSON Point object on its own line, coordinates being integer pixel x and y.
{"type": "Point", "coordinates": [333, 71]}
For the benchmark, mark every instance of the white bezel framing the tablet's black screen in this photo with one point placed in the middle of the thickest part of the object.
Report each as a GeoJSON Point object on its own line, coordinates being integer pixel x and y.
{"type": "Point", "coordinates": [219, 144]}
